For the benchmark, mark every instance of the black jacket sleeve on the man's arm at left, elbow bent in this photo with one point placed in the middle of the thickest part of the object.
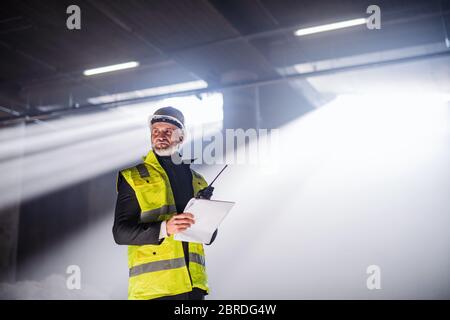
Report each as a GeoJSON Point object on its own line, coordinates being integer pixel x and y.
{"type": "Point", "coordinates": [127, 228]}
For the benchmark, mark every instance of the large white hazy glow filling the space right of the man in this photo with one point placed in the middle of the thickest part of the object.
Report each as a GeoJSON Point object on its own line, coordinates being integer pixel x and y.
{"type": "Point", "coordinates": [361, 177]}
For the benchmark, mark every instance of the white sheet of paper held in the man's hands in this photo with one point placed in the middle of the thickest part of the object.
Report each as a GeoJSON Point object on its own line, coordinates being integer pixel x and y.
{"type": "Point", "coordinates": [208, 214]}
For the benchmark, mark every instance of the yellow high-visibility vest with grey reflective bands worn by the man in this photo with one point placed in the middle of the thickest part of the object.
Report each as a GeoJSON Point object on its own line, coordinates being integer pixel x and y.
{"type": "Point", "coordinates": [160, 270]}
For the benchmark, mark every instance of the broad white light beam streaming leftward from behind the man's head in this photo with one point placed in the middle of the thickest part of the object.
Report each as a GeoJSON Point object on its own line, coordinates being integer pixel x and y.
{"type": "Point", "coordinates": [91, 144]}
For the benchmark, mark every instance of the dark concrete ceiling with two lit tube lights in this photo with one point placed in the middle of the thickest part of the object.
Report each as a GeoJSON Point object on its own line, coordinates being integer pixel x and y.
{"type": "Point", "coordinates": [181, 40]}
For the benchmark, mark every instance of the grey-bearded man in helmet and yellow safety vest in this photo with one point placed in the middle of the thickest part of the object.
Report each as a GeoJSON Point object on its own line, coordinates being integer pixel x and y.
{"type": "Point", "coordinates": [149, 197]}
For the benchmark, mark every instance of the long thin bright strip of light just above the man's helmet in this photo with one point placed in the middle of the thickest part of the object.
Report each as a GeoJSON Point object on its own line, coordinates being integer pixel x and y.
{"type": "Point", "coordinates": [150, 92]}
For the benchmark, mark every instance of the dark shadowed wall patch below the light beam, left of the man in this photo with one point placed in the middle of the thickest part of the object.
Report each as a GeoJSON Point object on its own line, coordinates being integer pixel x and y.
{"type": "Point", "coordinates": [50, 220]}
